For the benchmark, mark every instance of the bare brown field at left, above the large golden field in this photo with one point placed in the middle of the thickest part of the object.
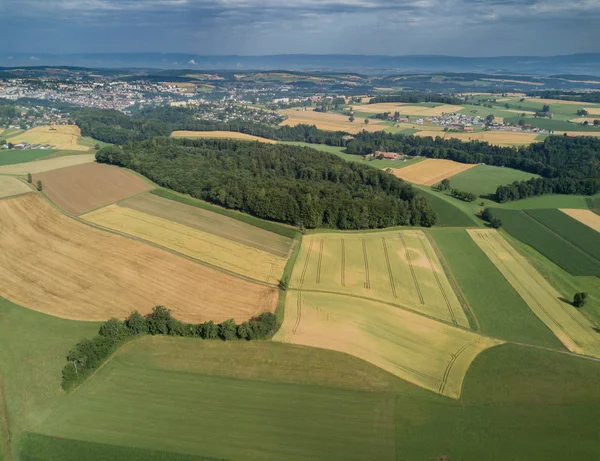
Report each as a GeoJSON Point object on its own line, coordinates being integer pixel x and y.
{"type": "Point", "coordinates": [84, 187]}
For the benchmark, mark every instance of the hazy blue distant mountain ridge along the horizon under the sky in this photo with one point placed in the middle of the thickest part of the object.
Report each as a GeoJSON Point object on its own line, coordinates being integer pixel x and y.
{"type": "Point", "coordinates": [583, 64]}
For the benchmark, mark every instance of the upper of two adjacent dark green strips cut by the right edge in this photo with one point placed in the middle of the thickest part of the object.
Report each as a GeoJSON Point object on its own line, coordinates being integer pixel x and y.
{"type": "Point", "coordinates": [580, 235]}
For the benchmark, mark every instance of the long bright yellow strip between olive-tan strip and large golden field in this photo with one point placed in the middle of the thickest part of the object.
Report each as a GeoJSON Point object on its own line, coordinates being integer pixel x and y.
{"type": "Point", "coordinates": [215, 250]}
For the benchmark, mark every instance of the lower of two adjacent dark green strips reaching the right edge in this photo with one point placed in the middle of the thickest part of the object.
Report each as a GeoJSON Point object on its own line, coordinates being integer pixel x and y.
{"type": "Point", "coordinates": [525, 228]}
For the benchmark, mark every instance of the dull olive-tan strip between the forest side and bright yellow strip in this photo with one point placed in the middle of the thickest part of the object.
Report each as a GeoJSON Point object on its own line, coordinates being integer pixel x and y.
{"type": "Point", "coordinates": [213, 223]}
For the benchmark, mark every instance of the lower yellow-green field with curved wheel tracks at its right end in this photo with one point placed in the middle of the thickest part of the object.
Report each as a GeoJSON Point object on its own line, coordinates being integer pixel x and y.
{"type": "Point", "coordinates": [425, 352]}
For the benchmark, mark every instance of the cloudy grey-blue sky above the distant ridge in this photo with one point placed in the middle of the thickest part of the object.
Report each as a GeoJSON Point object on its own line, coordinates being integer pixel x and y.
{"type": "Point", "coordinates": [262, 27]}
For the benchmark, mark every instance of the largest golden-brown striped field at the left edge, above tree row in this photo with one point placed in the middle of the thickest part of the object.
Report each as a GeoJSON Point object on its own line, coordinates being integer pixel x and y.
{"type": "Point", "coordinates": [56, 265]}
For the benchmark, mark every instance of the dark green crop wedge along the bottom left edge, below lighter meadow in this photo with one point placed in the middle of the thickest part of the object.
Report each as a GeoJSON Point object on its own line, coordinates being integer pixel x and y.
{"type": "Point", "coordinates": [37, 447]}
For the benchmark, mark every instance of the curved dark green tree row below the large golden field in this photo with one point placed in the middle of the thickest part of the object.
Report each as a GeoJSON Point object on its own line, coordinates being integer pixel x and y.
{"type": "Point", "coordinates": [89, 354]}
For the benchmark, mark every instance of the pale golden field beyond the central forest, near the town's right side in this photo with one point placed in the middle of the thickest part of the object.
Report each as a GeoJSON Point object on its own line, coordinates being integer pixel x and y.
{"type": "Point", "coordinates": [328, 121]}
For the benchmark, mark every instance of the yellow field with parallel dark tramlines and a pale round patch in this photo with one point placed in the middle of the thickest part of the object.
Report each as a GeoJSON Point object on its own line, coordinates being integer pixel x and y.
{"type": "Point", "coordinates": [396, 267]}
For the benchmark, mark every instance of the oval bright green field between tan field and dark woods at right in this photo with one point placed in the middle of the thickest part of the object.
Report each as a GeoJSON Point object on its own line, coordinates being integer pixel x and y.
{"type": "Point", "coordinates": [485, 179]}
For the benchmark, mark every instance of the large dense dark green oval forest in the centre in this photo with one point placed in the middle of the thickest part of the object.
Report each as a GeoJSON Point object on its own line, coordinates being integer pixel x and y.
{"type": "Point", "coordinates": [288, 184]}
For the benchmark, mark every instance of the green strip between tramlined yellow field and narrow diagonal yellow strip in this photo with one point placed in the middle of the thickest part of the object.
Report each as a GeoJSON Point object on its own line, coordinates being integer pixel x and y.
{"type": "Point", "coordinates": [501, 312]}
